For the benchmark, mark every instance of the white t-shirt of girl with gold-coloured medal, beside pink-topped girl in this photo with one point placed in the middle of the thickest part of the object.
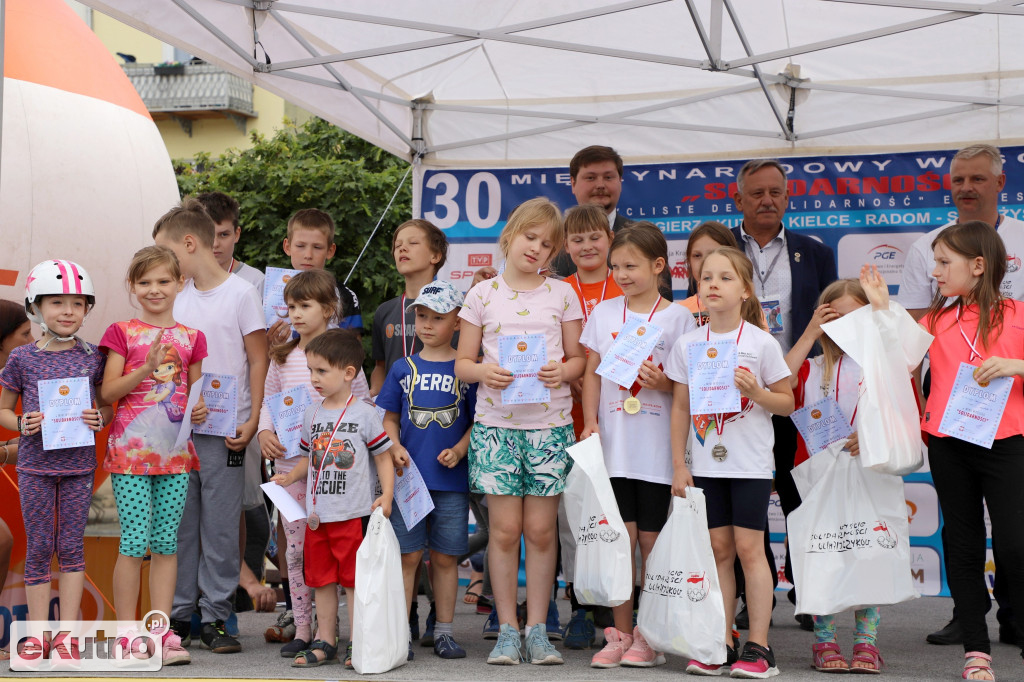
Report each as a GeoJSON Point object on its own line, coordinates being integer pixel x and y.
{"type": "Point", "coordinates": [636, 447]}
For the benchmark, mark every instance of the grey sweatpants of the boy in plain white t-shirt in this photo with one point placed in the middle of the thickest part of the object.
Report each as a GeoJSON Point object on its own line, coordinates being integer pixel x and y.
{"type": "Point", "coordinates": [208, 538]}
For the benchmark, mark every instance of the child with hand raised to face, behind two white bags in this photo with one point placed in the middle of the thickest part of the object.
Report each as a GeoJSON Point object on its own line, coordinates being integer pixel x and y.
{"type": "Point", "coordinates": [829, 386]}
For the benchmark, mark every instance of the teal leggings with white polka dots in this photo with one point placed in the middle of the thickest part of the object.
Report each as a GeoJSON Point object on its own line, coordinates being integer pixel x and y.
{"type": "Point", "coordinates": [150, 509]}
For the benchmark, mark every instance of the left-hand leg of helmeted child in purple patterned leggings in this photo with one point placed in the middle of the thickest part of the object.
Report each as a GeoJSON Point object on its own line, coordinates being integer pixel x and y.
{"type": "Point", "coordinates": [38, 497]}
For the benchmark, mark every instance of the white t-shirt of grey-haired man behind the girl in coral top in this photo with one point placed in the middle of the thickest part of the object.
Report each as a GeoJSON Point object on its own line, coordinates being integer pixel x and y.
{"type": "Point", "coordinates": [918, 287]}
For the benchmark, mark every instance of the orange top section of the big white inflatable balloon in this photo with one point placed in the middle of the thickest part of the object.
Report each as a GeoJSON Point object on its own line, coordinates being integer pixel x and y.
{"type": "Point", "coordinates": [49, 45]}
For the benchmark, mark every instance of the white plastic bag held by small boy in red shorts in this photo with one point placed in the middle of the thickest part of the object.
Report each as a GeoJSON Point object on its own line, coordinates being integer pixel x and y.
{"type": "Point", "coordinates": [380, 624]}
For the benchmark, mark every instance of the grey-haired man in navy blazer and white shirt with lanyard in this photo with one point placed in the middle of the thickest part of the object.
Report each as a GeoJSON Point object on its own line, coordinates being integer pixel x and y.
{"type": "Point", "coordinates": [790, 273]}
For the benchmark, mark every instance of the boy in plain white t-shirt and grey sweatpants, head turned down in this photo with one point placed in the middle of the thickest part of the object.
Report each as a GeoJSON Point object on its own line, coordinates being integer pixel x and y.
{"type": "Point", "coordinates": [229, 312]}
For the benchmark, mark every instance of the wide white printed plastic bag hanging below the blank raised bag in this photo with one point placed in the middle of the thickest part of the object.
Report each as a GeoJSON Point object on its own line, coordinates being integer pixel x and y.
{"type": "Point", "coordinates": [849, 540]}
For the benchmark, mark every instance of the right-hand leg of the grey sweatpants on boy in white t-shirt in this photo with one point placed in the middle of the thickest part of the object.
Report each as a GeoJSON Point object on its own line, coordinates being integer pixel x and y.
{"type": "Point", "coordinates": [221, 507]}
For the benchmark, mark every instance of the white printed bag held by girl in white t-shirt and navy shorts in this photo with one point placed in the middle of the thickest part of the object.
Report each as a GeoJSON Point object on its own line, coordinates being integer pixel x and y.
{"type": "Point", "coordinates": [681, 610]}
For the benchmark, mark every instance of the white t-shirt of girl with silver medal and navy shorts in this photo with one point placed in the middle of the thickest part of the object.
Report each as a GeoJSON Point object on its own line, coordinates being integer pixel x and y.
{"type": "Point", "coordinates": [748, 436]}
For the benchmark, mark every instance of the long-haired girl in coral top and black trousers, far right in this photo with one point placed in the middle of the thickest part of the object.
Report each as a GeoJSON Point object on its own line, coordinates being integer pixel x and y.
{"type": "Point", "coordinates": [977, 363]}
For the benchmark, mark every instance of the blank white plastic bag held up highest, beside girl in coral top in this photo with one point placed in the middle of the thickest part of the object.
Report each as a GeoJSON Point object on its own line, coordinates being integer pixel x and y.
{"type": "Point", "coordinates": [887, 346]}
